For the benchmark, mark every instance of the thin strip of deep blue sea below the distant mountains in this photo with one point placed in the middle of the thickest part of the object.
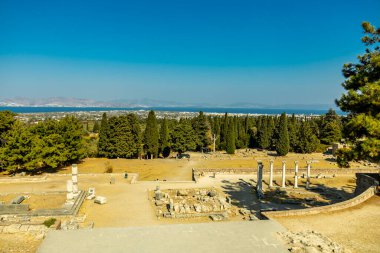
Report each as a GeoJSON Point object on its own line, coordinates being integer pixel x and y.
{"type": "Point", "coordinates": [261, 111]}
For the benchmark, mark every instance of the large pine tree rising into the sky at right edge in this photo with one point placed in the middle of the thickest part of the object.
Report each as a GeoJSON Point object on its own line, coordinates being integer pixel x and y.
{"type": "Point", "coordinates": [362, 100]}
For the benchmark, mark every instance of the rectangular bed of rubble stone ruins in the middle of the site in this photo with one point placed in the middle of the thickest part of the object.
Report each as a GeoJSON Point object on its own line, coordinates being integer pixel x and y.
{"type": "Point", "coordinates": [188, 203]}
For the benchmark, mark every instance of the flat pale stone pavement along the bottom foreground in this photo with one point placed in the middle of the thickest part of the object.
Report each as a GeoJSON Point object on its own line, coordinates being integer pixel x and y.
{"type": "Point", "coordinates": [246, 236]}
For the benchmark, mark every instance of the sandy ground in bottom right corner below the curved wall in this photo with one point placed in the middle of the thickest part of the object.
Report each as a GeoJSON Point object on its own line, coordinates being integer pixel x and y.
{"type": "Point", "coordinates": [357, 228]}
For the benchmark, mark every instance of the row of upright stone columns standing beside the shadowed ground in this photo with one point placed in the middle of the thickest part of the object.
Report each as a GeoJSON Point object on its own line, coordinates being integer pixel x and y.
{"type": "Point", "coordinates": [283, 181]}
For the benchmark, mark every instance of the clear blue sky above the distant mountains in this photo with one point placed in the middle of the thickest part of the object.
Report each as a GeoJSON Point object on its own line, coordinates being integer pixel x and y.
{"type": "Point", "coordinates": [196, 51]}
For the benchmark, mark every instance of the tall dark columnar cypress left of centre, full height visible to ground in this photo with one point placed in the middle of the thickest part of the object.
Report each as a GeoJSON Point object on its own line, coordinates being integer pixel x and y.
{"type": "Point", "coordinates": [151, 135]}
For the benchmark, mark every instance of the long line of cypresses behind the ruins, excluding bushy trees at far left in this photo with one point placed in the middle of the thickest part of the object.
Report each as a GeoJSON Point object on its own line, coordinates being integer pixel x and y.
{"type": "Point", "coordinates": [126, 137]}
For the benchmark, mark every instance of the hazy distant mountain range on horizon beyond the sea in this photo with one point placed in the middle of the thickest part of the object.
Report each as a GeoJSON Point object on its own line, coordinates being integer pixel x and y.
{"type": "Point", "coordinates": [140, 103]}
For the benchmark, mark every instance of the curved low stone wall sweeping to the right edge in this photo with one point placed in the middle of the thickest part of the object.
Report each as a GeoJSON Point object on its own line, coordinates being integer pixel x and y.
{"type": "Point", "coordinates": [371, 191]}
